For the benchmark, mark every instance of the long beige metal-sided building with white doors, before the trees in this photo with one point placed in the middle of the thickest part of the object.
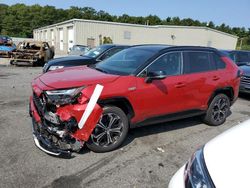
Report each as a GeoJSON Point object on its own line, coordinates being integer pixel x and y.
{"type": "Point", "coordinates": [90, 32]}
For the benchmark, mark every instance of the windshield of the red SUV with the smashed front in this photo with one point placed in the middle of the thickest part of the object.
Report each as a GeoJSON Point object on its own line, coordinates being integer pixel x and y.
{"type": "Point", "coordinates": [125, 62]}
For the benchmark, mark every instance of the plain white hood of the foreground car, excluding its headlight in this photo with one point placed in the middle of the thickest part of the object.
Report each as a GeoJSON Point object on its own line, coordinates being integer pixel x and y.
{"type": "Point", "coordinates": [227, 157]}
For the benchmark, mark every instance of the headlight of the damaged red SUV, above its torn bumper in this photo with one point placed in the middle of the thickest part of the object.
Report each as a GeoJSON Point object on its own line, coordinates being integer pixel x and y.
{"type": "Point", "coordinates": [63, 96]}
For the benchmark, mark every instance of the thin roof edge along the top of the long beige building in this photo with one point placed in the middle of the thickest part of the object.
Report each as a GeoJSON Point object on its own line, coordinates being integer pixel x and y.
{"type": "Point", "coordinates": [134, 25]}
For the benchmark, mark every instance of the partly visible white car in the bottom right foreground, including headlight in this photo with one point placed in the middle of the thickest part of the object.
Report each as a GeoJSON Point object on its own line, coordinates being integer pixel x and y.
{"type": "Point", "coordinates": [224, 162]}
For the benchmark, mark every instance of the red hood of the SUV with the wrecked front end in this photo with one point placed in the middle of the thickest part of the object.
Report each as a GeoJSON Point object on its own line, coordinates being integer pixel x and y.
{"type": "Point", "coordinates": [75, 77]}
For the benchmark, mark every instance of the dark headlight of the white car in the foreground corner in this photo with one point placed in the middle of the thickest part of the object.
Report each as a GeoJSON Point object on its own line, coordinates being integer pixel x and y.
{"type": "Point", "coordinates": [196, 173]}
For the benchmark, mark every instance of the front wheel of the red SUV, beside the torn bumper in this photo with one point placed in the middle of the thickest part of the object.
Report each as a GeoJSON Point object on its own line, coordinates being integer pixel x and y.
{"type": "Point", "coordinates": [110, 131]}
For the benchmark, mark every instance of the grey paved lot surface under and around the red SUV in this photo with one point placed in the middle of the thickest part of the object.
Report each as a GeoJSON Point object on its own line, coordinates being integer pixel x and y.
{"type": "Point", "coordinates": [148, 158]}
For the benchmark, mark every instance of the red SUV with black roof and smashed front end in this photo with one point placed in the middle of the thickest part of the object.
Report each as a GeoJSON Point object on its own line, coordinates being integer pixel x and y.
{"type": "Point", "coordinates": [145, 84]}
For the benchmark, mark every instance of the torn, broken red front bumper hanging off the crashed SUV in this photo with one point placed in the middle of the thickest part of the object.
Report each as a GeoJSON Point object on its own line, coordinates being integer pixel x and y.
{"type": "Point", "coordinates": [43, 139]}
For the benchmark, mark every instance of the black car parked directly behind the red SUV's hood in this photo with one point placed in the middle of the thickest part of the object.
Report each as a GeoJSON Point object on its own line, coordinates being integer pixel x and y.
{"type": "Point", "coordinates": [91, 57]}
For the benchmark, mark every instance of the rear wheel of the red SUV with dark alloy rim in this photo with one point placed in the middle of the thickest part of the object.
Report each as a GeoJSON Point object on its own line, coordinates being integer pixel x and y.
{"type": "Point", "coordinates": [218, 110]}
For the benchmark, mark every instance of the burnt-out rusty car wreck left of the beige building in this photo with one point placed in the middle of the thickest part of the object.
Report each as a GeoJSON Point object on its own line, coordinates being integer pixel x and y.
{"type": "Point", "coordinates": [32, 52]}
